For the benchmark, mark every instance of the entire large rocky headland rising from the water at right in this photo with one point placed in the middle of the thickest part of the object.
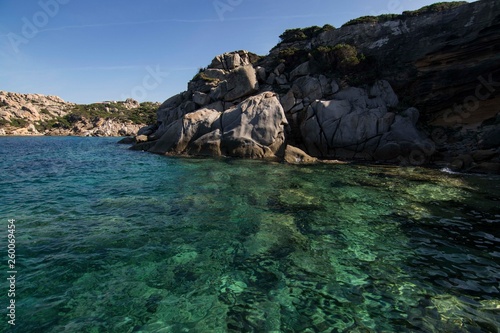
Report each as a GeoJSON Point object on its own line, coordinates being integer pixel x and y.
{"type": "Point", "coordinates": [416, 88]}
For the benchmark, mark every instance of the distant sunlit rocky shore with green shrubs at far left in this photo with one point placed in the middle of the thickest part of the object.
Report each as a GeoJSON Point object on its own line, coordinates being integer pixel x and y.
{"type": "Point", "coordinates": [34, 114]}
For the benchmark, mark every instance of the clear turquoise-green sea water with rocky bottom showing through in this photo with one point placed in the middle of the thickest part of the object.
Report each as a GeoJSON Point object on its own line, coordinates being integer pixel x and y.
{"type": "Point", "coordinates": [110, 240]}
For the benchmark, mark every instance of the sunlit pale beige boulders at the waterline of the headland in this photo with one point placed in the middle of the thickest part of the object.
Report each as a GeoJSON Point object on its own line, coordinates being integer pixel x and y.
{"type": "Point", "coordinates": [252, 129]}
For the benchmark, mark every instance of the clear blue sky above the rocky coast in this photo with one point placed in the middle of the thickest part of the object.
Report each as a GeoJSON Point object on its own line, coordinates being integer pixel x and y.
{"type": "Point", "coordinates": [87, 51]}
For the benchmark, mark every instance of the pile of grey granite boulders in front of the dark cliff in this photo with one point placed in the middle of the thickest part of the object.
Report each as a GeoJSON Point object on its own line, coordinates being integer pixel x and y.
{"type": "Point", "coordinates": [323, 120]}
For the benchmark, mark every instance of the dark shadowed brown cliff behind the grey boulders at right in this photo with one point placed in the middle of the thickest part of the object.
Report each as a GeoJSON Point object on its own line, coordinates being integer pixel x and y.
{"type": "Point", "coordinates": [444, 63]}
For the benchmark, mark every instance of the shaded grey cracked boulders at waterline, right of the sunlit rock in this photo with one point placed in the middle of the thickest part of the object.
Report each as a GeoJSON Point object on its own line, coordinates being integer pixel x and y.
{"type": "Point", "coordinates": [357, 125]}
